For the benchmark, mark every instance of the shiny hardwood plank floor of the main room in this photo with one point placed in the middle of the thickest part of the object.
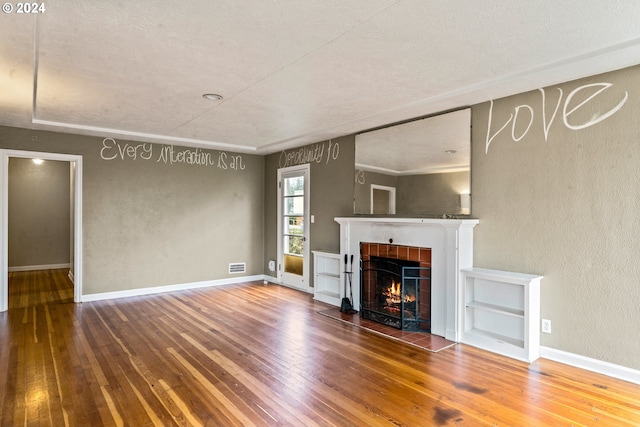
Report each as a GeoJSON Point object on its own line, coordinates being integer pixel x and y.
{"type": "Point", "coordinates": [251, 354]}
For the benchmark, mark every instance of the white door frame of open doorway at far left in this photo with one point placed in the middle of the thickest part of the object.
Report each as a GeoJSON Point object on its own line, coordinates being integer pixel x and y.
{"type": "Point", "coordinates": [76, 175]}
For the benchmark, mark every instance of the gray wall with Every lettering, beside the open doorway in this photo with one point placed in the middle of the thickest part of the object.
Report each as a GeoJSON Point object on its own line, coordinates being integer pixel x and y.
{"type": "Point", "coordinates": [147, 222]}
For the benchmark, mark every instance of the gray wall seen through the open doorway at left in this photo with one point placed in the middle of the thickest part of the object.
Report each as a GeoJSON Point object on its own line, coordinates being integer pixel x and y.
{"type": "Point", "coordinates": [39, 213]}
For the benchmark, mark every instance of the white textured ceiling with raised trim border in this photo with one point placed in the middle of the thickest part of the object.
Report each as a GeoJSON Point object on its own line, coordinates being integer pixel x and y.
{"type": "Point", "coordinates": [291, 72]}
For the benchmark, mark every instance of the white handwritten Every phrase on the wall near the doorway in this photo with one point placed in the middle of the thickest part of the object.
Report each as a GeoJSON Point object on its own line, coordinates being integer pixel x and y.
{"type": "Point", "coordinates": [114, 150]}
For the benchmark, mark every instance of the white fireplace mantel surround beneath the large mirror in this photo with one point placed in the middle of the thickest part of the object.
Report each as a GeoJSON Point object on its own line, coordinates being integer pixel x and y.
{"type": "Point", "coordinates": [451, 244]}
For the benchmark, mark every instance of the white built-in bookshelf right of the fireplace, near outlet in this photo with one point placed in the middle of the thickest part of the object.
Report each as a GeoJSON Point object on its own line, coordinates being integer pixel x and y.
{"type": "Point", "coordinates": [502, 312]}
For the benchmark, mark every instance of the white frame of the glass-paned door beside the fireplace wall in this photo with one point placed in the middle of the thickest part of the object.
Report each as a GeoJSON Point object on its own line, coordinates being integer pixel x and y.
{"type": "Point", "coordinates": [282, 173]}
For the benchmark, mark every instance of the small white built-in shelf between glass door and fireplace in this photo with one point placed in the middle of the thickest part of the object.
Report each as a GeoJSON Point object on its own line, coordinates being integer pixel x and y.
{"type": "Point", "coordinates": [326, 283]}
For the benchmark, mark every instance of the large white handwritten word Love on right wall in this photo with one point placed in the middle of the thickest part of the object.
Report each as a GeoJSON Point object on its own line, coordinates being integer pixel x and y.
{"type": "Point", "coordinates": [522, 116]}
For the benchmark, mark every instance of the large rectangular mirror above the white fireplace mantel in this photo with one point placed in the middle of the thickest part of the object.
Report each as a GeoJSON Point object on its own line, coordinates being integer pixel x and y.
{"type": "Point", "coordinates": [416, 168]}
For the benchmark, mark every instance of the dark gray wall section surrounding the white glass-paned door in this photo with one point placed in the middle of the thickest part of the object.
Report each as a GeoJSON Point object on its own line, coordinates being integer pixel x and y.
{"type": "Point", "coordinates": [332, 186]}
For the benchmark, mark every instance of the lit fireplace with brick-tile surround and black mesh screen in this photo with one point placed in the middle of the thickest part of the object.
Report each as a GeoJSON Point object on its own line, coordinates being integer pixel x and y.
{"type": "Point", "coordinates": [395, 285]}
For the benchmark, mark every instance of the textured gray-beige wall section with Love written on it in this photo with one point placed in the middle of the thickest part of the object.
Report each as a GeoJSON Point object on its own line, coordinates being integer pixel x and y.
{"type": "Point", "coordinates": [561, 199]}
